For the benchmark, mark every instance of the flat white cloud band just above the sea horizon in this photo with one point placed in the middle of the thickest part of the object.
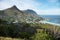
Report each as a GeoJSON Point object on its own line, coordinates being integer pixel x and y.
{"type": "Point", "coordinates": [49, 12]}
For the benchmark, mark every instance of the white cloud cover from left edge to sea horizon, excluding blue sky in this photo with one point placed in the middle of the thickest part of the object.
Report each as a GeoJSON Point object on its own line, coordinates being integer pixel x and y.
{"type": "Point", "coordinates": [29, 4]}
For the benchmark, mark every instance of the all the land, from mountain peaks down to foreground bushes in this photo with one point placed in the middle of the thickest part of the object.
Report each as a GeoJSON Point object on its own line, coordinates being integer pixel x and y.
{"type": "Point", "coordinates": [27, 26]}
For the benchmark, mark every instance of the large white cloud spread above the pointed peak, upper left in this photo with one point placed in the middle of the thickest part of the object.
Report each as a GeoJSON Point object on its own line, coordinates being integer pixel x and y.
{"type": "Point", "coordinates": [21, 4]}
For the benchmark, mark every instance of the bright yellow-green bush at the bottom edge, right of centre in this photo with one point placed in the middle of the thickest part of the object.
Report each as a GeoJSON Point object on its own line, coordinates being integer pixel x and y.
{"type": "Point", "coordinates": [41, 35]}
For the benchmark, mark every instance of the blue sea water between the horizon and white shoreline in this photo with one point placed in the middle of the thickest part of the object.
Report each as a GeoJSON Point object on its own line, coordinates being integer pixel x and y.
{"type": "Point", "coordinates": [52, 18]}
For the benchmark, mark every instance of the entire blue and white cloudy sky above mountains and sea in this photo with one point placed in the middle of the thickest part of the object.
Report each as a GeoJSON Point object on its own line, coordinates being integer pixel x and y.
{"type": "Point", "coordinates": [41, 7]}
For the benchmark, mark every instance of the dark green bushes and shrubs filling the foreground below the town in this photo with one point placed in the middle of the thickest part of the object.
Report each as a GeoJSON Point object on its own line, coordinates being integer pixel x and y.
{"type": "Point", "coordinates": [26, 31]}
